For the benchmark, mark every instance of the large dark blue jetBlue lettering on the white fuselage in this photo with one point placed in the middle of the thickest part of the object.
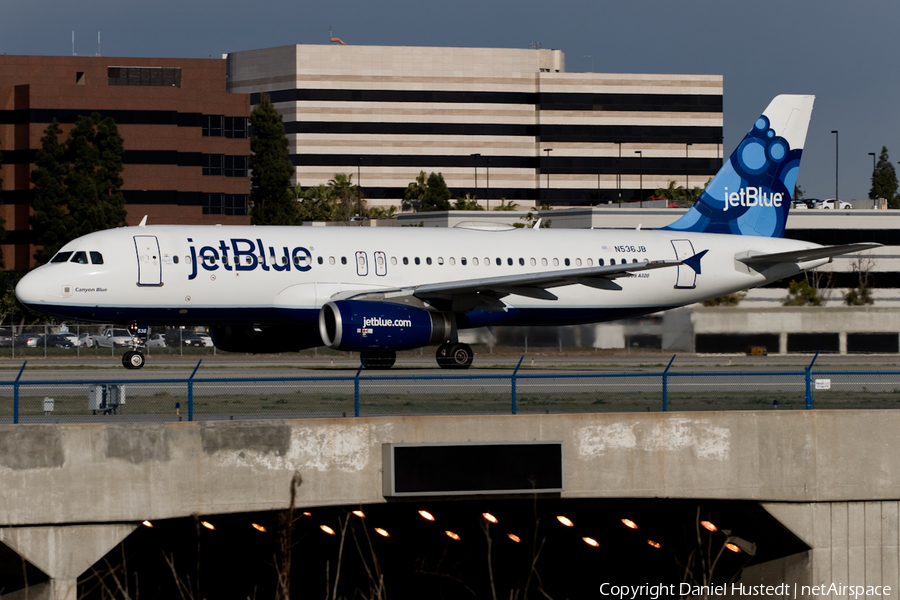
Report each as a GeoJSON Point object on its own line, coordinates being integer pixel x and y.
{"type": "Point", "coordinates": [247, 255]}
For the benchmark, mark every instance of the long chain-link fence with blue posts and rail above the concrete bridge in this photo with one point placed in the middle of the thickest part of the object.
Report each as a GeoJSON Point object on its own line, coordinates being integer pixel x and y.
{"type": "Point", "coordinates": [330, 394]}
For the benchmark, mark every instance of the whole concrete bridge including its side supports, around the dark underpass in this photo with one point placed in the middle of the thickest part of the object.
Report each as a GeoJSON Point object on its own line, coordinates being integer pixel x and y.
{"type": "Point", "coordinates": [69, 493]}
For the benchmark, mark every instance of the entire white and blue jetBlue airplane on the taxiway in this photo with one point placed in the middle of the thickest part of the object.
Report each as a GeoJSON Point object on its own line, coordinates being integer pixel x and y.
{"type": "Point", "coordinates": [376, 291]}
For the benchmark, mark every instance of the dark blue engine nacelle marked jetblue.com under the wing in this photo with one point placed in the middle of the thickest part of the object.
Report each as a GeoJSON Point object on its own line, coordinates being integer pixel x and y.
{"type": "Point", "coordinates": [369, 324]}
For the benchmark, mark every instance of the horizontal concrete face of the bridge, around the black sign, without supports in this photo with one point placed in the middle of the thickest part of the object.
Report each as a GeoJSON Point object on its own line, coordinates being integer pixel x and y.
{"type": "Point", "coordinates": [129, 472]}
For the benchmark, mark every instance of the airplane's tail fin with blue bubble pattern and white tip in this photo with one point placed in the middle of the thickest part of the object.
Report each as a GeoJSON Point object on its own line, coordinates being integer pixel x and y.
{"type": "Point", "coordinates": [751, 193]}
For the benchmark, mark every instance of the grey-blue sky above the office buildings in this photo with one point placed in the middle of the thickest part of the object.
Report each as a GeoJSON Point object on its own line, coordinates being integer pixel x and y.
{"type": "Point", "coordinates": [841, 52]}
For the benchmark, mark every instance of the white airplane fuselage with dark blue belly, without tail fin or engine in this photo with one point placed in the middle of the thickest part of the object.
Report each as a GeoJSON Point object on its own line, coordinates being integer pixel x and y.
{"type": "Point", "coordinates": [206, 274]}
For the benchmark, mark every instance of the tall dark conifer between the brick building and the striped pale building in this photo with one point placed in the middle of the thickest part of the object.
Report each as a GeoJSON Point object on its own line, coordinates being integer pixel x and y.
{"type": "Point", "coordinates": [271, 199]}
